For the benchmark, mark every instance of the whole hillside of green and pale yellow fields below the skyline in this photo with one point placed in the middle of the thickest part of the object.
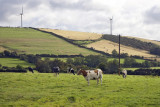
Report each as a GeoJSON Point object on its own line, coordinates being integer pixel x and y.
{"type": "Point", "coordinates": [30, 41]}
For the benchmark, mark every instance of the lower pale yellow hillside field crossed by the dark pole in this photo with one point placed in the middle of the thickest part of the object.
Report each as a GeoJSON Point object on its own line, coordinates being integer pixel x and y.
{"type": "Point", "coordinates": [108, 47]}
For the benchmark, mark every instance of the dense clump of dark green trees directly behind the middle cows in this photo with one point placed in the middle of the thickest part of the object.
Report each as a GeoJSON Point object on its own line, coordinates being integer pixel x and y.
{"type": "Point", "coordinates": [87, 62]}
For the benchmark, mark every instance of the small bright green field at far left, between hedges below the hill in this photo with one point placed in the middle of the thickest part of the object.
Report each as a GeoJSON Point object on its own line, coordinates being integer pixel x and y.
{"type": "Point", "coordinates": [13, 62]}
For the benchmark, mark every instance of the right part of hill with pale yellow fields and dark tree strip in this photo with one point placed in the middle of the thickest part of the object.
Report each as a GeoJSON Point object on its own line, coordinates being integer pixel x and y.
{"type": "Point", "coordinates": [107, 43]}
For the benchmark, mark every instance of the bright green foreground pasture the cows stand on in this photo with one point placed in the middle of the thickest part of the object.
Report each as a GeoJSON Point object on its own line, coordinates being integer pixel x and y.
{"type": "Point", "coordinates": [26, 89]}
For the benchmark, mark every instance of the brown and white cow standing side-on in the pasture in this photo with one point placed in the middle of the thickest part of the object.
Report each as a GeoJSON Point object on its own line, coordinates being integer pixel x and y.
{"type": "Point", "coordinates": [92, 75]}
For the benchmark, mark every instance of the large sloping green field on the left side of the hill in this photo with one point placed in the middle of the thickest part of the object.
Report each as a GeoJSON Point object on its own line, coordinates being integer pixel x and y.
{"type": "Point", "coordinates": [29, 41]}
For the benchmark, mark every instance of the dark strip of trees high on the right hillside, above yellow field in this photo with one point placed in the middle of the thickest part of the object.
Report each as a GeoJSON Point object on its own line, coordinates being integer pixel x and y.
{"type": "Point", "coordinates": [135, 43]}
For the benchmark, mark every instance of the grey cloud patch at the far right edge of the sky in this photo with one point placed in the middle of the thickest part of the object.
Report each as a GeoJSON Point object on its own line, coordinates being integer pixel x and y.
{"type": "Point", "coordinates": [152, 16]}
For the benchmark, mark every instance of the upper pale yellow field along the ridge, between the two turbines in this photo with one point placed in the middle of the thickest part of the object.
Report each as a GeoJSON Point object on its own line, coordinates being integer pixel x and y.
{"type": "Point", "coordinates": [74, 35]}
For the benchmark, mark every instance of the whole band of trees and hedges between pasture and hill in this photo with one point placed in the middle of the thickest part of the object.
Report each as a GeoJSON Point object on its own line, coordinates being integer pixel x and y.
{"type": "Point", "coordinates": [80, 62]}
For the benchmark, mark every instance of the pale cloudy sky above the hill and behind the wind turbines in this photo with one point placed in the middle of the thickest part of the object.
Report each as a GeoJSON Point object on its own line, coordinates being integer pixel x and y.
{"type": "Point", "coordinates": [137, 18]}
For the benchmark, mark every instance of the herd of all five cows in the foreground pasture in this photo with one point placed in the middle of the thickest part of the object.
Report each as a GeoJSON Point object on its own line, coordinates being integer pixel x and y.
{"type": "Point", "coordinates": [87, 74]}
